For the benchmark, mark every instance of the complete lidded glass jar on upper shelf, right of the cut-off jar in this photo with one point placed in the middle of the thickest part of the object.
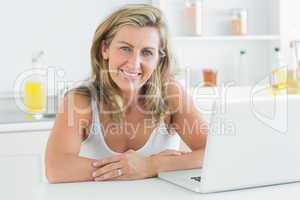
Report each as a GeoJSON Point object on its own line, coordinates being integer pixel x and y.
{"type": "Point", "coordinates": [239, 21]}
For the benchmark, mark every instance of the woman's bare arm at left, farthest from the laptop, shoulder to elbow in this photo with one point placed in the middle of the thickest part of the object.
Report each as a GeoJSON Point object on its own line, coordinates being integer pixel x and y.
{"type": "Point", "coordinates": [63, 164]}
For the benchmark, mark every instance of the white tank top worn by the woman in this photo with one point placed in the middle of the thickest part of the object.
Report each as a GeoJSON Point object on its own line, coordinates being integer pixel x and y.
{"type": "Point", "coordinates": [95, 147]}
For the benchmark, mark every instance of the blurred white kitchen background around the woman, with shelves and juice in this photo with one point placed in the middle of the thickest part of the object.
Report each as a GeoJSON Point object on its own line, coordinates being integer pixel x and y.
{"type": "Point", "coordinates": [45, 47]}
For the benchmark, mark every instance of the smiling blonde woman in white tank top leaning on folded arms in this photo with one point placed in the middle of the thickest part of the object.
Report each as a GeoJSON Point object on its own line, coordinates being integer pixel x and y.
{"type": "Point", "coordinates": [127, 121]}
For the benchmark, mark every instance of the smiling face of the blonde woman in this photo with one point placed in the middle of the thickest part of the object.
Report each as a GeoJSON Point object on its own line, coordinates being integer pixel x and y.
{"type": "Point", "coordinates": [132, 55]}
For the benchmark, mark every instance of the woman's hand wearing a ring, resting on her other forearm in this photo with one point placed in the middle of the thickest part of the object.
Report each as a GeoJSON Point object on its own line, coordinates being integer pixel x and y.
{"type": "Point", "coordinates": [127, 166]}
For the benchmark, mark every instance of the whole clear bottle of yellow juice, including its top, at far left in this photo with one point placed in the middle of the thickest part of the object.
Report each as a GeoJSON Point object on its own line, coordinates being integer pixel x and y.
{"type": "Point", "coordinates": [34, 92]}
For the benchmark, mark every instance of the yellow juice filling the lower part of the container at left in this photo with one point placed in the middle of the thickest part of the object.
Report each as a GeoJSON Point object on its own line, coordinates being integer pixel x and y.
{"type": "Point", "coordinates": [35, 98]}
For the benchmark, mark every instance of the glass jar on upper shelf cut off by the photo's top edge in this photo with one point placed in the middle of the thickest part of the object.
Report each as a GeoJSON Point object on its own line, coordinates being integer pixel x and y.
{"type": "Point", "coordinates": [194, 12]}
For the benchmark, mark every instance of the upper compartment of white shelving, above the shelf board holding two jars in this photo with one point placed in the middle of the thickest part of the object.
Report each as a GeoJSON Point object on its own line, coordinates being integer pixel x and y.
{"type": "Point", "coordinates": [262, 17]}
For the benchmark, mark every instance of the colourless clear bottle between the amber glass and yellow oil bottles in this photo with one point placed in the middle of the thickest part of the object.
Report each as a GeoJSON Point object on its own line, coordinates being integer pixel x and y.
{"type": "Point", "coordinates": [242, 72]}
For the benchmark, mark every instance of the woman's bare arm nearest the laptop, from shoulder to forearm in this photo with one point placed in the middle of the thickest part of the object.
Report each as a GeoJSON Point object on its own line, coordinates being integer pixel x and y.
{"type": "Point", "coordinates": [191, 127]}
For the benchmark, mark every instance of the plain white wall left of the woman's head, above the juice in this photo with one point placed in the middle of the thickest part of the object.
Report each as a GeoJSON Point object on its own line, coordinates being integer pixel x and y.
{"type": "Point", "coordinates": [62, 28]}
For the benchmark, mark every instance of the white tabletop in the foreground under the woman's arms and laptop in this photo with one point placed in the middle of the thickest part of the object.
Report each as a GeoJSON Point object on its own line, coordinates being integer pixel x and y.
{"type": "Point", "coordinates": [154, 188]}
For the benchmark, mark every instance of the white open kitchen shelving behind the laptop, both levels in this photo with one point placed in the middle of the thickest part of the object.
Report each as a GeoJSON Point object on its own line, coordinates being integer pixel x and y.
{"type": "Point", "coordinates": [271, 24]}
